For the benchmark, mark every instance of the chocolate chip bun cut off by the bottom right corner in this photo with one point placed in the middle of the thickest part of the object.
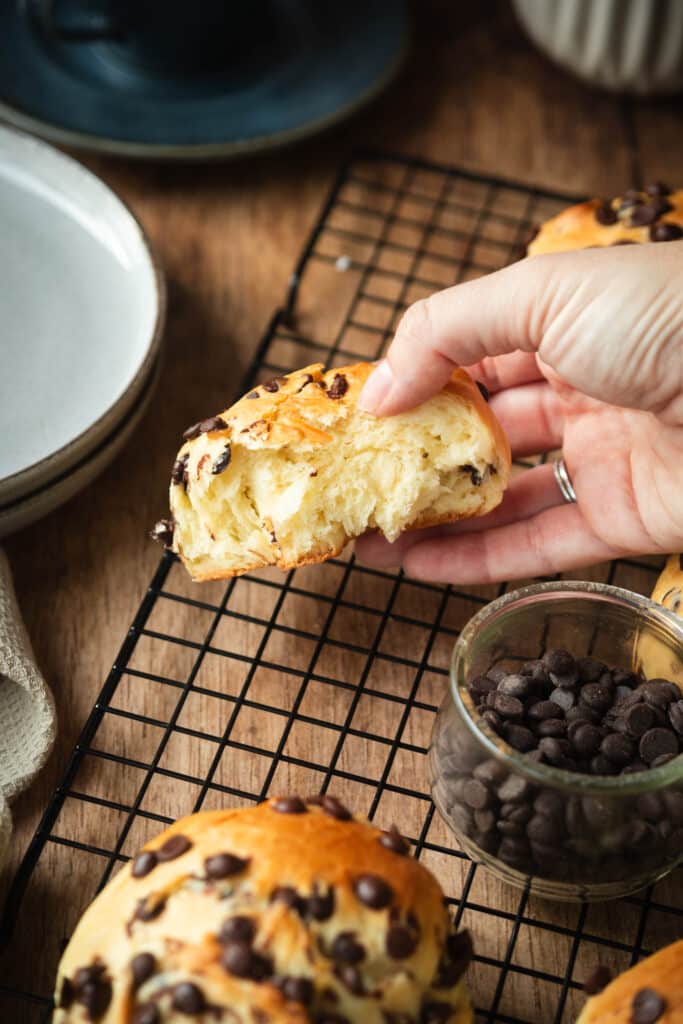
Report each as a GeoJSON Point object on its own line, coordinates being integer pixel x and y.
{"type": "Point", "coordinates": [650, 993]}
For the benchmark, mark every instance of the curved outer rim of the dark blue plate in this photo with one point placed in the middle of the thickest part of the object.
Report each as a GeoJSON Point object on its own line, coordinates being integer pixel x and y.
{"type": "Point", "coordinates": [15, 119]}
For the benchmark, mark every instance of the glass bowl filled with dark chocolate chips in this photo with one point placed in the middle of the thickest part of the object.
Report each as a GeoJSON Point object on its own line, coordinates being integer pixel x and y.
{"type": "Point", "coordinates": [554, 760]}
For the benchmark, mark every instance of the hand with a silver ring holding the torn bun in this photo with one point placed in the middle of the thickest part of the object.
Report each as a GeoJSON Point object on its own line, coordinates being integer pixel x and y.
{"type": "Point", "coordinates": [583, 352]}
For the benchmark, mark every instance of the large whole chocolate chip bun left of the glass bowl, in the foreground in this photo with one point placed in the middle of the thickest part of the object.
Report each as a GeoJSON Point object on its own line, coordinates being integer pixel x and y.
{"type": "Point", "coordinates": [288, 913]}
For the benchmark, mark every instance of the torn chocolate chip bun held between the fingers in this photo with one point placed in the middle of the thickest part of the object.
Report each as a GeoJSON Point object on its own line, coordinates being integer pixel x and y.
{"type": "Point", "coordinates": [294, 471]}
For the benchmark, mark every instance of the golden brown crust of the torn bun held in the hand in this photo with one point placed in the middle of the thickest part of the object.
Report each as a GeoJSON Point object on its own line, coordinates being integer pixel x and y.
{"type": "Point", "coordinates": [291, 415]}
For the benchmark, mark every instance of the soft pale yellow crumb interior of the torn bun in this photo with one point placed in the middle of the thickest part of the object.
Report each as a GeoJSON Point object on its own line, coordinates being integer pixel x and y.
{"type": "Point", "coordinates": [383, 475]}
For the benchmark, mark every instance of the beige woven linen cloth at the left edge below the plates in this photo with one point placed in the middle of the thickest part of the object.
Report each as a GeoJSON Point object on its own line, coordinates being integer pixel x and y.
{"type": "Point", "coordinates": [27, 709]}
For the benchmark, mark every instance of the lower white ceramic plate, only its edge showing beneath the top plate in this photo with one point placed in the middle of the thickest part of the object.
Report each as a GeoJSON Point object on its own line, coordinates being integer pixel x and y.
{"type": "Point", "coordinates": [57, 492]}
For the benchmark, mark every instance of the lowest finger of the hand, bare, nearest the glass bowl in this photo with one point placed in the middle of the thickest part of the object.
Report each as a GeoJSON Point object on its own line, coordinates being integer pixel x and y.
{"type": "Point", "coordinates": [552, 541]}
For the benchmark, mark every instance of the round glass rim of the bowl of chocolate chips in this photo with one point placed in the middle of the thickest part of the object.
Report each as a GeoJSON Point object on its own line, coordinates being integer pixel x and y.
{"type": "Point", "coordinates": [569, 782]}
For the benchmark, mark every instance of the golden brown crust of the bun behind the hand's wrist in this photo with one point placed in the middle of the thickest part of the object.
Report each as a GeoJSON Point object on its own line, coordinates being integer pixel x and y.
{"type": "Point", "coordinates": [578, 228]}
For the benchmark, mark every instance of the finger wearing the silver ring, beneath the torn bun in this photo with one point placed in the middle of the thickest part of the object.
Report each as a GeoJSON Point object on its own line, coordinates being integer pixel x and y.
{"type": "Point", "coordinates": [529, 494]}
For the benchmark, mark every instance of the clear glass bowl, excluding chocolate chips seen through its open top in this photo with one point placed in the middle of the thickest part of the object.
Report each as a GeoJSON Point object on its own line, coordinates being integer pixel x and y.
{"type": "Point", "coordinates": [567, 836]}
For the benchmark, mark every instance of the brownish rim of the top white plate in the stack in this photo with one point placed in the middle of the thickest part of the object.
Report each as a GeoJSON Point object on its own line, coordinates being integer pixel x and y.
{"type": "Point", "coordinates": [24, 481]}
